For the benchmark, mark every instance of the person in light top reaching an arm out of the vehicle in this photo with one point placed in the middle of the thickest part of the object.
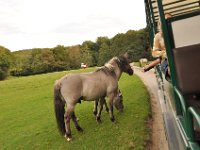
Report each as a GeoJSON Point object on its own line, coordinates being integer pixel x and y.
{"type": "Point", "coordinates": [159, 51]}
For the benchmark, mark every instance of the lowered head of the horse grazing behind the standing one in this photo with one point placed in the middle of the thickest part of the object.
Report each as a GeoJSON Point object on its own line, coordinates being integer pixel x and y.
{"type": "Point", "coordinates": [118, 102]}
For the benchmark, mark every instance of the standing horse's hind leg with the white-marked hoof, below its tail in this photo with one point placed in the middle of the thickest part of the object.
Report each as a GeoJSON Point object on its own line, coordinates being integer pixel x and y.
{"type": "Point", "coordinates": [67, 117]}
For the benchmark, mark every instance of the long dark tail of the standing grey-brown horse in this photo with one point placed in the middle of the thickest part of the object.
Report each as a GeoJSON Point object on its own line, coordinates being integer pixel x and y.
{"type": "Point", "coordinates": [59, 107]}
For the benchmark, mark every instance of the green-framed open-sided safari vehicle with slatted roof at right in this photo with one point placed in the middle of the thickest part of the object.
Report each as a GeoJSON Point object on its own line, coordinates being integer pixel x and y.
{"type": "Point", "coordinates": [179, 98]}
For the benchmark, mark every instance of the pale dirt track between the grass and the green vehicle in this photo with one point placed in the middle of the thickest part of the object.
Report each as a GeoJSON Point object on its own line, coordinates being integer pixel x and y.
{"type": "Point", "coordinates": [158, 138]}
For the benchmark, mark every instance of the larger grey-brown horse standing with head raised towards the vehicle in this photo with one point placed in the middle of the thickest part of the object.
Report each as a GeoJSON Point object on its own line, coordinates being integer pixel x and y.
{"type": "Point", "coordinates": [73, 88]}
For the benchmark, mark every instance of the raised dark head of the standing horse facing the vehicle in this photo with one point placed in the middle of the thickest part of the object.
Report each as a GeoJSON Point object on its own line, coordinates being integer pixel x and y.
{"type": "Point", "coordinates": [124, 64]}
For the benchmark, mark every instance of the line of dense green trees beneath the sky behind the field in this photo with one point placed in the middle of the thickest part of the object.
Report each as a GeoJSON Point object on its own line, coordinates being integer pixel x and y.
{"type": "Point", "coordinates": [43, 60]}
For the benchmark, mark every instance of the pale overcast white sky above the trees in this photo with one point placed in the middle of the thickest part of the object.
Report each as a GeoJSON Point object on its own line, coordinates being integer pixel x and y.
{"type": "Point", "coordinates": [26, 24]}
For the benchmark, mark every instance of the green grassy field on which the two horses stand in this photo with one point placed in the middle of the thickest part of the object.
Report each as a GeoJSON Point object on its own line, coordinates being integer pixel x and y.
{"type": "Point", "coordinates": [27, 117]}
